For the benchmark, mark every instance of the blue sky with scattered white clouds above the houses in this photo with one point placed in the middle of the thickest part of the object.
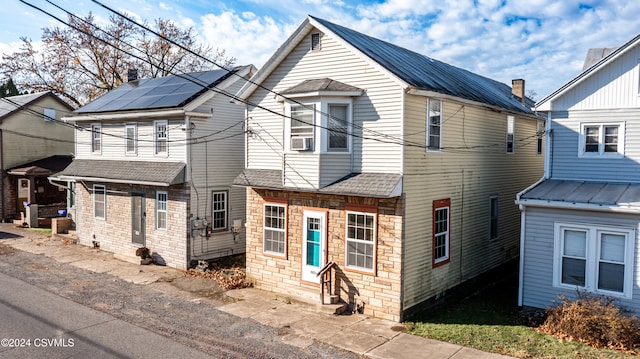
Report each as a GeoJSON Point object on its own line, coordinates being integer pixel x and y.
{"type": "Point", "coordinates": [544, 42]}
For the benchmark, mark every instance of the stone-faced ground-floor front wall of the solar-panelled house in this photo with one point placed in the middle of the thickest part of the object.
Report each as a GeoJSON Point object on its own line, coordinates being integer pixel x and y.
{"type": "Point", "coordinates": [114, 233]}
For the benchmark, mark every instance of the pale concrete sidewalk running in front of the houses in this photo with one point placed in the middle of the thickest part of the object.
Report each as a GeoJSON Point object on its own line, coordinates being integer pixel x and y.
{"type": "Point", "coordinates": [300, 322]}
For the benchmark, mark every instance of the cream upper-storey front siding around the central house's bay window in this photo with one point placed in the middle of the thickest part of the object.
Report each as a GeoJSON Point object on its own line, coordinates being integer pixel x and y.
{"type": "Point", "coordinates": [377, 110]}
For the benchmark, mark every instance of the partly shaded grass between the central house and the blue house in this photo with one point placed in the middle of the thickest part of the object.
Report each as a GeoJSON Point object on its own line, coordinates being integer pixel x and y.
{"type": "Point", "coordinates": [490, 321]}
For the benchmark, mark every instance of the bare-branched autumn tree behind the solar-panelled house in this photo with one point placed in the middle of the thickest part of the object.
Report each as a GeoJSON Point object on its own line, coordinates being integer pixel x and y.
{"type": "Point", "coordinates": [82, 61]}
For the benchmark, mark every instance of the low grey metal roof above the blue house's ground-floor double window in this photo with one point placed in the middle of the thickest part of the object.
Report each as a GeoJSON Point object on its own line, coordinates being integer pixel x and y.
{"type": "Point", "coordinates": [585, 192]}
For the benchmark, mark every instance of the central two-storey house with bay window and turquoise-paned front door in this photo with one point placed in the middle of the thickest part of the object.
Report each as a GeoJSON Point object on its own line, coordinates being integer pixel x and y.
{"type": "Point", "coordinates": [398, 168]}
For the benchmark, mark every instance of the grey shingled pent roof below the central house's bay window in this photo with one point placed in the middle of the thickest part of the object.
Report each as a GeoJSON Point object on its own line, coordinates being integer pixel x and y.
{"type": "Point", "coordinates": [380, 185]}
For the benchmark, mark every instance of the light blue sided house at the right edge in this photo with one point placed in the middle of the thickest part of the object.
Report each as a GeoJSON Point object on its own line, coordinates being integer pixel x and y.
{"type": "Point", "coordinates": [580, 221]}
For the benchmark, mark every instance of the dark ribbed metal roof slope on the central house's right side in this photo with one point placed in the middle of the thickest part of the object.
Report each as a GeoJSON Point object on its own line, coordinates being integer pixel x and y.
{"type": "Point", "coordinates": [428, 74]}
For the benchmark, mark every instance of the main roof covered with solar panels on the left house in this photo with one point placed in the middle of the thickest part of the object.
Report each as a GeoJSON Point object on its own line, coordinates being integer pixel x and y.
{"type": "Point", "coordinates": [164, 92]}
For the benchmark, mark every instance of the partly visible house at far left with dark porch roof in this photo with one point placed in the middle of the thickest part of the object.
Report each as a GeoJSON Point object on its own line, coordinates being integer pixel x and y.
{"type": "Point", "coordinates": [34, 143]}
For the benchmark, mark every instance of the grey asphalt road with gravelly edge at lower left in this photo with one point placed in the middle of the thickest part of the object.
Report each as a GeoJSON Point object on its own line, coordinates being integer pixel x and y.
{"type": "Point", "coordinates": [107, 317]}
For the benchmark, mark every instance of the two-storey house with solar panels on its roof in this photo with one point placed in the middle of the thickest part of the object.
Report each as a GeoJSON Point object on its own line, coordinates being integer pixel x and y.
{"type": "Point", "coordinates": [154, 163]}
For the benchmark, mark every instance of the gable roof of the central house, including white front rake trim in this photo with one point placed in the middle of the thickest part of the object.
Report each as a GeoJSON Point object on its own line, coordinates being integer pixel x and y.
{"type": "Point", "coordinates": [412, 70]}
